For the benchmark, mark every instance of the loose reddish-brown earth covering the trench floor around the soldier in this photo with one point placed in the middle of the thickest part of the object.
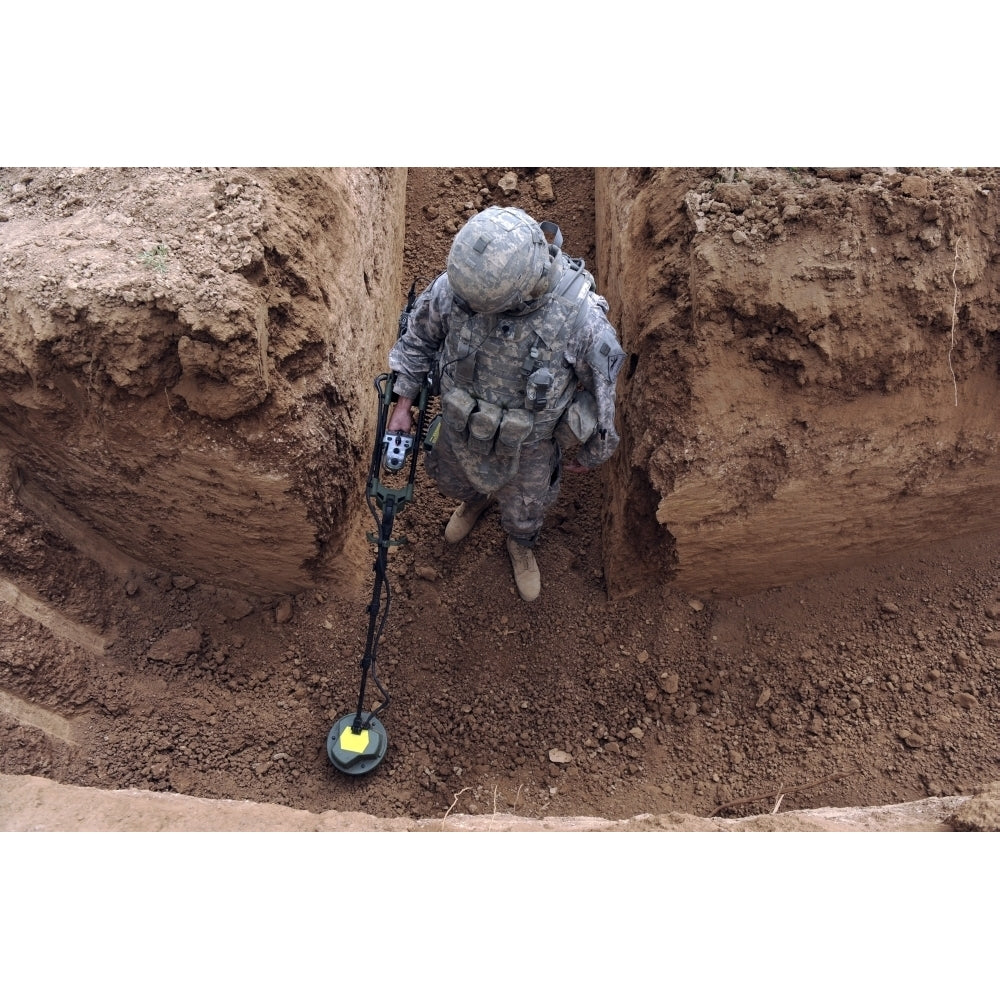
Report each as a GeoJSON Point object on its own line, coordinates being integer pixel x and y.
{"type": "Point", "coordinates": [873, 685]}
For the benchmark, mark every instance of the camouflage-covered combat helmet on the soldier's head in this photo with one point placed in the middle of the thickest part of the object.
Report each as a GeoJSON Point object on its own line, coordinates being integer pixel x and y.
{"type": "Point", "coordinates": [500, 261]}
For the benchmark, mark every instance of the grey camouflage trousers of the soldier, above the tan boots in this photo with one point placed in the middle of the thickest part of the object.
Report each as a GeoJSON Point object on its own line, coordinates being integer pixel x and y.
{"type": "Point", "coordinates": [522, 502]}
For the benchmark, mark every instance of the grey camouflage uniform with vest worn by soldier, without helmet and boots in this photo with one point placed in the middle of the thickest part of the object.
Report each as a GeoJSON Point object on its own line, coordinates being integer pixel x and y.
{"type": "Point", "coordinates": [487, 363]}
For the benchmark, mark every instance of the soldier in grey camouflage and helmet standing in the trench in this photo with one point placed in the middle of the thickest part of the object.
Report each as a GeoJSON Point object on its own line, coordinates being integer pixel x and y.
{"type": "Point", "coordinates": [518, 343]}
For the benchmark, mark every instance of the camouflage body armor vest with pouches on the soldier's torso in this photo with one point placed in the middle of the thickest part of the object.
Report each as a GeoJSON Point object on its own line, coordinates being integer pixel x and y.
{"type": "Point", "coordinates": [507, 379]}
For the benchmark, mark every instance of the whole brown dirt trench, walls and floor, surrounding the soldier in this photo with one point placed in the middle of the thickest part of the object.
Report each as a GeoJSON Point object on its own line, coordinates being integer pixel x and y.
{"type": "Point", "coordinates": [629, 688]}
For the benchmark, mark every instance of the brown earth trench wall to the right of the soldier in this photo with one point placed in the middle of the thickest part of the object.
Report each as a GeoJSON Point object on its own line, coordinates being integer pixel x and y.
{"type": "Point", "coordinates": [812, 373]}
